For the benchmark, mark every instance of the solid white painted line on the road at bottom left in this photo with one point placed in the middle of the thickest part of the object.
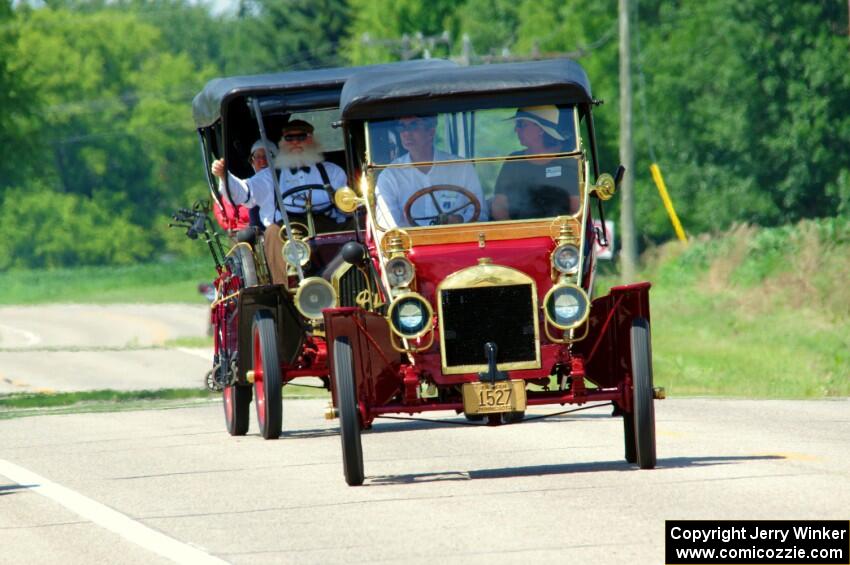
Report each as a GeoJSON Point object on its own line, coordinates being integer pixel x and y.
{"type": "Point", "coordinates": [108, 518]}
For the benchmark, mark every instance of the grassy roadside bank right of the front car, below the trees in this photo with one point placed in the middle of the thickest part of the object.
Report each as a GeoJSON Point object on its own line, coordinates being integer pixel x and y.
{"type": "Point", "coordinates": [756, 313]}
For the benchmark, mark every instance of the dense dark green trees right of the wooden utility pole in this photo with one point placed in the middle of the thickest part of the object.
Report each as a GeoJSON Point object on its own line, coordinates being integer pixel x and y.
{"type": "Point", "coordinates": [748, 105]}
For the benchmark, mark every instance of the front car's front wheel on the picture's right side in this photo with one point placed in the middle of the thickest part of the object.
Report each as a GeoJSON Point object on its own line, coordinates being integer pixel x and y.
{"type": "Point", "coordinates": [643, 416]}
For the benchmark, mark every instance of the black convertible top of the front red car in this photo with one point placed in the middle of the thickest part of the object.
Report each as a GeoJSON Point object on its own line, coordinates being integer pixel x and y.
{"type": "Point", "coordinates": [392, 92]}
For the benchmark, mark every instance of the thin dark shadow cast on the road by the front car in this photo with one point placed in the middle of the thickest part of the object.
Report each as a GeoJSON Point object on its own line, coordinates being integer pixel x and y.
{"type": "Point", "coordinates": [564, 469]}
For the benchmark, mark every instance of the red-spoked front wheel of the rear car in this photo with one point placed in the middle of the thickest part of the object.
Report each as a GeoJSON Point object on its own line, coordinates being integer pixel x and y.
{"type": "Point", "coordinates": [267, 381]}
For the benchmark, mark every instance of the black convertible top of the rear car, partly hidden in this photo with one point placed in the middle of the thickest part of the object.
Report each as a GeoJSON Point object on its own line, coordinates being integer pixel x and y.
{"type": "Point", "coordinates": [207, 104]}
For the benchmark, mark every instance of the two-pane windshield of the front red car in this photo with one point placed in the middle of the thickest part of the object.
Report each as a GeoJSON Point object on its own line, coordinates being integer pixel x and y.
{"type": "Point", "coordinates": [475, 166]}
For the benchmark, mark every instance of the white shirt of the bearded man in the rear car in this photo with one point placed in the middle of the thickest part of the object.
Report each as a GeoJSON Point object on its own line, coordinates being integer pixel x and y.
{"type": "Point", "coordinates": [259, 191]}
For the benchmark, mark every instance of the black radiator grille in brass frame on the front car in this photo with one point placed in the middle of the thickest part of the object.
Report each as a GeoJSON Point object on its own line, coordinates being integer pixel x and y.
{"type": "Point", "coordinates": [502, 314]}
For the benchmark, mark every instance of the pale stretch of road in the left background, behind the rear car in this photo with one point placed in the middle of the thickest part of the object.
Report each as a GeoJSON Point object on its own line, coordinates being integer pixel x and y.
{"type": "Point", "coordinates": [74, 347]}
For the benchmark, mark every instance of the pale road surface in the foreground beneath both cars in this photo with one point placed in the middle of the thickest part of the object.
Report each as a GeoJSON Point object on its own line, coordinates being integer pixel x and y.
{"type": "Point", "coordinates": [153, 486]}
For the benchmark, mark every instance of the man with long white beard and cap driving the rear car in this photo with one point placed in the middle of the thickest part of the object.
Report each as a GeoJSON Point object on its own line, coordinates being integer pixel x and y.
{"type": "Point", "coordinates": [302, 163]}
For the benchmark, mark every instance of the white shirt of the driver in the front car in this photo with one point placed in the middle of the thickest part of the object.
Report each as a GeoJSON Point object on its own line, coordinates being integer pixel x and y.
{"type": "Point", "coordinates": [396, 186]}
